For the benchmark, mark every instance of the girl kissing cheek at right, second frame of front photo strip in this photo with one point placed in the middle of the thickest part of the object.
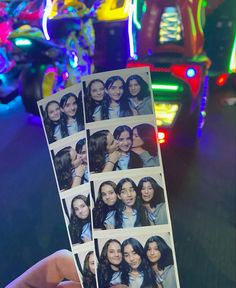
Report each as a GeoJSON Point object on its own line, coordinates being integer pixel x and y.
{"type": "Point", "coordinates": [145, 144]}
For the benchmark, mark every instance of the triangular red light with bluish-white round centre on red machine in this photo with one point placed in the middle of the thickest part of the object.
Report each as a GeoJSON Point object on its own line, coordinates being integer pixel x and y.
{"type": "Point", "coordinates": [194, 83]}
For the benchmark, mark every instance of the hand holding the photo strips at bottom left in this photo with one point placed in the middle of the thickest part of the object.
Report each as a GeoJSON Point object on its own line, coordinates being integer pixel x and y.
{"type": "Point", "coordinates": [50, 273]}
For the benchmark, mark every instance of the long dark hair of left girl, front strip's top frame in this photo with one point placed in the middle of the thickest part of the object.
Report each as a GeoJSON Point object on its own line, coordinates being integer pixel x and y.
{"type": "Point", "coordinates": [91, 104]}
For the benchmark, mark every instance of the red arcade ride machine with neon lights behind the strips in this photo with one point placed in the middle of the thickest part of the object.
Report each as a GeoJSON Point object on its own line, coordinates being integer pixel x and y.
{"type": "Point", "coordinates": [167, 36]}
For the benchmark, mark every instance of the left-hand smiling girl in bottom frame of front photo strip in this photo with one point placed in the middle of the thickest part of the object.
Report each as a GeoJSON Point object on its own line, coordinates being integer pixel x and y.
{"type": "Point", "coordinates": [110, 259]}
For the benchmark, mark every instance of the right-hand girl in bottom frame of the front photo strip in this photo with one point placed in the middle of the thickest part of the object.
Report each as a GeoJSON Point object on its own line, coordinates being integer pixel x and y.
{"type": "Point", "coordinates": [160, 257]}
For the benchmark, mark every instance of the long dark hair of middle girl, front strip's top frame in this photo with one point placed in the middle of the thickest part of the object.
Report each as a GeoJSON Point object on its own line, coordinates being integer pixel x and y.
{"type": "Point", "coordinates": [125, 109]}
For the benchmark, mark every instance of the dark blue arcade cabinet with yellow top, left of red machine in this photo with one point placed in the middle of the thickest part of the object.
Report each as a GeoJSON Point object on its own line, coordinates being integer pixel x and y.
{"type": "Point", "coordinates": [111, 34]}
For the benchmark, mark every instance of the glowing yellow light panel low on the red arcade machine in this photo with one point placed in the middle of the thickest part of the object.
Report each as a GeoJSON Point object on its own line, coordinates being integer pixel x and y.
{"type": "Point", "coordinates": [166, 113]}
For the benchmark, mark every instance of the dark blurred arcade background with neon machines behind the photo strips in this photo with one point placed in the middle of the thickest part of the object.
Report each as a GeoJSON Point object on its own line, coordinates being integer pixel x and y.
{"type": "Point", "coordinates": [198, 158]}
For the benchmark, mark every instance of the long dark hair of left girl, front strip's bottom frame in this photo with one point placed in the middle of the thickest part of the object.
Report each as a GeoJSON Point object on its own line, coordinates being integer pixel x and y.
{"type": "Point", "coordinates": [105, 271]}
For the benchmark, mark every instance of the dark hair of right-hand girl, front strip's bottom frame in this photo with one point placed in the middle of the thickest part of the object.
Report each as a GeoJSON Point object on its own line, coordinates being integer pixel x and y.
{"type": "Point", "coordinates": [166, 258]}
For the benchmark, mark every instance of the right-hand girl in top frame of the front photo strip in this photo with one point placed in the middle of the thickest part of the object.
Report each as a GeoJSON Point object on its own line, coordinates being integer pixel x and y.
{"type": "Point", "coordinates": [139, 95]}
